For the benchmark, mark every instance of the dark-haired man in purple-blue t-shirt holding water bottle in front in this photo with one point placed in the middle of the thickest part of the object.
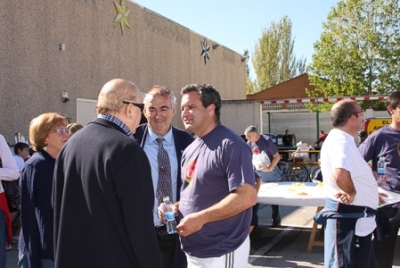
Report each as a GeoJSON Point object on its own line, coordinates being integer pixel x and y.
{"type": "Point", "coordinates": [218, 188]}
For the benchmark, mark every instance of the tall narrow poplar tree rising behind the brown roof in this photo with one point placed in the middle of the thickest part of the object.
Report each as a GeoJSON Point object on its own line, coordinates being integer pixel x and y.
{"type": "Point", "coordinates": [273, 60]}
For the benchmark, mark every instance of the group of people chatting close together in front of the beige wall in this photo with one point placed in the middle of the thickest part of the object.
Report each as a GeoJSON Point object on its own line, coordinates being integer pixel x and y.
{"type": "Point", "coordinates": [91, 199]}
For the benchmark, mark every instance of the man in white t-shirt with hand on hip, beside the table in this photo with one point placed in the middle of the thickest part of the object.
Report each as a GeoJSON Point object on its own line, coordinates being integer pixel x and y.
{"type": "Point", "coordinates": [352, 192]}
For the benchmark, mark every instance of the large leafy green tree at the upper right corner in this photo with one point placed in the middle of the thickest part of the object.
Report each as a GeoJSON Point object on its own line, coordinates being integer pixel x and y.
{"type": "Point", "coordinates": [359, 50]}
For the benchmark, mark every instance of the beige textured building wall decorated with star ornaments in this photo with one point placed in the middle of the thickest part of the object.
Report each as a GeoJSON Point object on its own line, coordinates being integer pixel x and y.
{"type": "Point", "coordinates": [154, 50]}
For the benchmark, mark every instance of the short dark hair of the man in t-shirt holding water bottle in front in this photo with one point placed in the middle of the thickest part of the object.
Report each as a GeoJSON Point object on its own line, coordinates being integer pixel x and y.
{"type": "Point", "coordinates": [209, 95]}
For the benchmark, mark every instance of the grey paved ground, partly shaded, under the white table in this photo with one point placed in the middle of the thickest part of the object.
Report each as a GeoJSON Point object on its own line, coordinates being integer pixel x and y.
{"type": "Point", "coordinates": [273, 247]}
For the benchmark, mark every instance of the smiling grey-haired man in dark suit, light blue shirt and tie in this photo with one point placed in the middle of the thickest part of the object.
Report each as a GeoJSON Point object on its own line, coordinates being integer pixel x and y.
{"type": "Point", "coordinates": [160, 107]}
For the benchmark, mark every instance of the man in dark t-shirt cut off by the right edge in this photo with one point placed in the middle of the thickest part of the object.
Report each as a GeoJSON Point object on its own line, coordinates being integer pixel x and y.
{"type": "Point", "coordinates": [385, 143]}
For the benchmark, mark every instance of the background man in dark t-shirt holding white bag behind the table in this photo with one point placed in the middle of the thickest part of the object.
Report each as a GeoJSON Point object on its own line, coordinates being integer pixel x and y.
{"type": "Point", "coordinates": [269, 172]}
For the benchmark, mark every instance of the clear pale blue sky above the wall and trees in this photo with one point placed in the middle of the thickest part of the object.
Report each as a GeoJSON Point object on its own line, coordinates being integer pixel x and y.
{"type": "Point", "coordinates": [238, 24]}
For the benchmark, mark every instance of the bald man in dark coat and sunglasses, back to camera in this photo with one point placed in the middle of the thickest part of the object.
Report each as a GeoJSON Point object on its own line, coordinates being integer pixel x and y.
{"type": "Point", "coordinates": [102, 195]}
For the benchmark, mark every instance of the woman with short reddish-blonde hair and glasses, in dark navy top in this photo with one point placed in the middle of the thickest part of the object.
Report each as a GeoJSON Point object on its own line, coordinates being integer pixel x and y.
{"type": "Point", "coordinates": [47, 133]}
